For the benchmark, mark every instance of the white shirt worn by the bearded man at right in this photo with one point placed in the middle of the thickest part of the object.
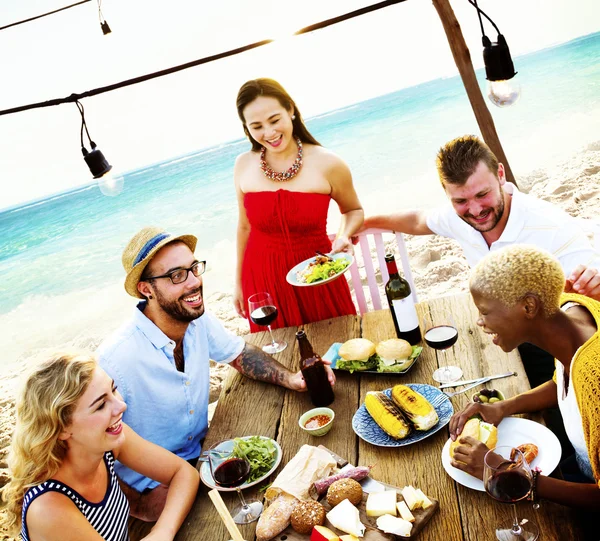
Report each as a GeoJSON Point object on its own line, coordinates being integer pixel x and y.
{"type": "Point", "coordinates": [531, 221]}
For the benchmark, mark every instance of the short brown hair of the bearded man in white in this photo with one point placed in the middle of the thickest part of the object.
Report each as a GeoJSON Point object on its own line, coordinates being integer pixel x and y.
{"type": "Point", "coordinates": [458, 159]}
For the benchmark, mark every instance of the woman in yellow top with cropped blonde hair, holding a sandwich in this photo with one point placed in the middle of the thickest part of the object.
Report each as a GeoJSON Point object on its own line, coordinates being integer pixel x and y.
{"type": "Point", "coordinates": [519, 293]}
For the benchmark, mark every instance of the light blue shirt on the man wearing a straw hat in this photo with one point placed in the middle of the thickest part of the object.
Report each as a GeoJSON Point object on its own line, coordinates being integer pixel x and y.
{"type": "Point", "coordinates": [165, 406]}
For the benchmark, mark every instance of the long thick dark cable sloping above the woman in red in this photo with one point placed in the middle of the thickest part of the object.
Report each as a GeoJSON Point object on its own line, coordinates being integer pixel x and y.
{"type": "Point", "coordinates": [317, 26]}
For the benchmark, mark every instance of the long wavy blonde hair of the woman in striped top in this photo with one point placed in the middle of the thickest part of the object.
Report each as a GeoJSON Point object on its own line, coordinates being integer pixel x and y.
{"type": "Point", "coordinates": [44, 410]}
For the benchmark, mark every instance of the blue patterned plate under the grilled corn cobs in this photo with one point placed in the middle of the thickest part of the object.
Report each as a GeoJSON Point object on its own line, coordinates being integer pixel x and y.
{"type": "Point", "coordinates": [367, 429]}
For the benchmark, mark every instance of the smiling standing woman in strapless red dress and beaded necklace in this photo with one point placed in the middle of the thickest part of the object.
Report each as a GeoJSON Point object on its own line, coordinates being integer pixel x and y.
{"type": "Point", "coordinates": [284, 184]}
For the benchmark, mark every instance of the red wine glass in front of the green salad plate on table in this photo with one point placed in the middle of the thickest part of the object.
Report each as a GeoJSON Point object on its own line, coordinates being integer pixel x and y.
{"type": "Point", "coordinates": [229, 471]}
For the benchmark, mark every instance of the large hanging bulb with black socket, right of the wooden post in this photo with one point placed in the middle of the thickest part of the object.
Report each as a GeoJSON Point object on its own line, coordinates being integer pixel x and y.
{"type": "Point", "coordinates": [503, 90]}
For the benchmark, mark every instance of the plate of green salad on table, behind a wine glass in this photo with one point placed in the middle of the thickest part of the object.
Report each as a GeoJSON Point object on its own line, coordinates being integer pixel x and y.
{"type": "Point", "coordinates": [264, 455]}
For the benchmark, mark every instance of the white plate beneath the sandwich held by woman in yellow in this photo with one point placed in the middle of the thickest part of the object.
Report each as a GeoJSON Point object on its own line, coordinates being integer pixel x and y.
{"type": "Point", "coordinates": [513, 431]}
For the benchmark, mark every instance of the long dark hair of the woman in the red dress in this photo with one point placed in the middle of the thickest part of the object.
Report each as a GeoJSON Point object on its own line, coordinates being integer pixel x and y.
{"type": "Point", "coordinates": [270, 88]}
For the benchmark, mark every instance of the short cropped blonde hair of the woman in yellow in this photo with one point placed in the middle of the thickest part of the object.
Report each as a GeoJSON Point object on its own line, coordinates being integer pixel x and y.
{"type": "Point", "coordinates": [515, 271]}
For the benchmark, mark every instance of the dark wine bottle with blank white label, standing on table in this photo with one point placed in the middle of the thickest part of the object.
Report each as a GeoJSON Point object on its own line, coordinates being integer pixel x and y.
{"type": "Point", "coordinates": [401, 304]}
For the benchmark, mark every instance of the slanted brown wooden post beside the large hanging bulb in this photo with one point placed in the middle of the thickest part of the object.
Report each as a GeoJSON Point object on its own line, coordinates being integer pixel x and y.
{"type": "Point", "coordinates": [462, 58]}
